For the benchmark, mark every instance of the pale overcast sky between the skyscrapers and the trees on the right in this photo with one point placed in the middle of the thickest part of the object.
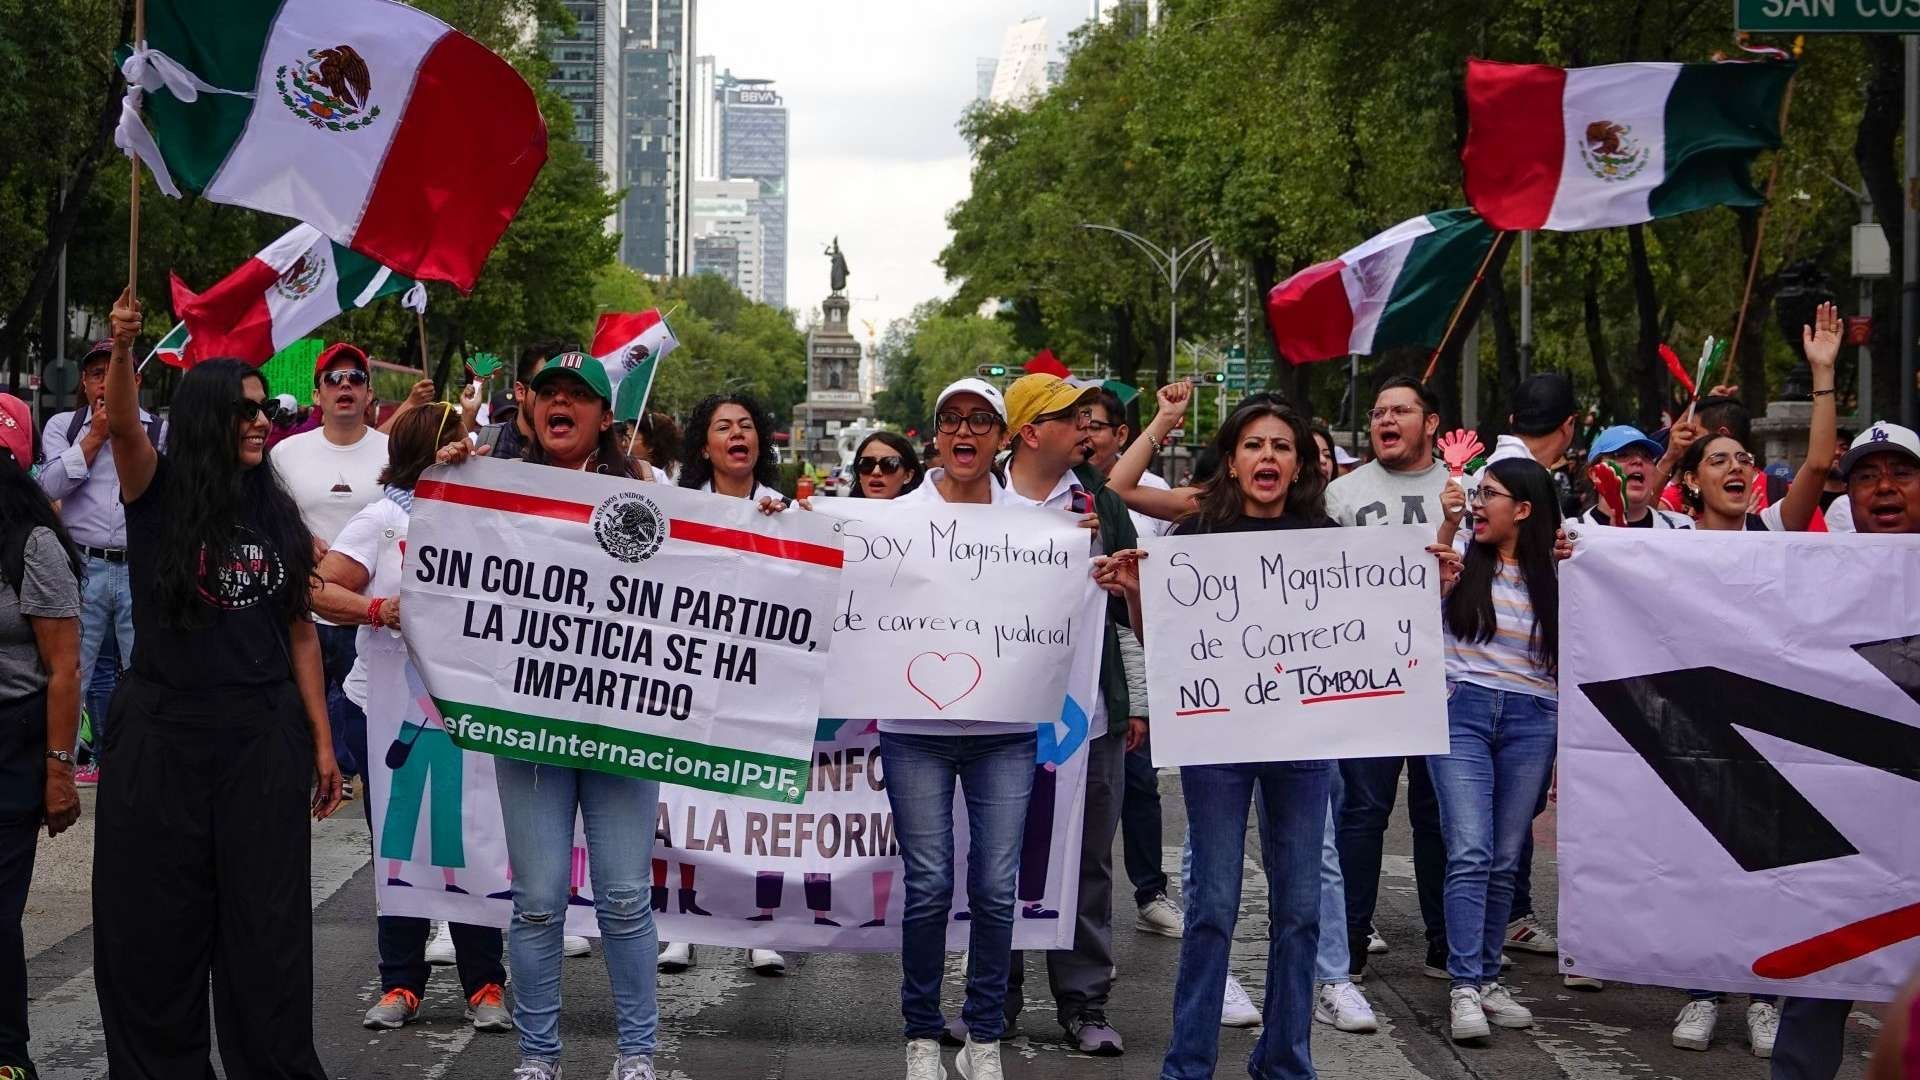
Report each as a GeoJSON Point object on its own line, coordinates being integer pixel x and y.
{"type": "Point", "coordinates": [873, 91]}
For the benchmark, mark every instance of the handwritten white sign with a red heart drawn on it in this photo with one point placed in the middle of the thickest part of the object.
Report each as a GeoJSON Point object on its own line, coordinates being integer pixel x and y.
{"type": "Point", "coordinates": [959, 612]}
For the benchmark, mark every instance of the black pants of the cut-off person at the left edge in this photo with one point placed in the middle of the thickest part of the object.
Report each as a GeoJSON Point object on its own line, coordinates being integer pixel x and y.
{"type": "Point", "coordinates": [22, 804]}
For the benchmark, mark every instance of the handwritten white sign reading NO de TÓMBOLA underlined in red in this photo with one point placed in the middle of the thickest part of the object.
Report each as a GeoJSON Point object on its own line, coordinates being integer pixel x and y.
{"type": "Point", "coordinates": [1293, 645]}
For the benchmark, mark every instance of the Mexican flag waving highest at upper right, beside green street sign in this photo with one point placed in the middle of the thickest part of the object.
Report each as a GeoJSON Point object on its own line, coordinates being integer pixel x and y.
{"type": "Point", "coordinates": [1575, 149]}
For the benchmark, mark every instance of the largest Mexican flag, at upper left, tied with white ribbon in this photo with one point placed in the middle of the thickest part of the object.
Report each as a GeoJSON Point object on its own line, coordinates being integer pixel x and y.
{"type": "Point", "coordinates": [370, 120]}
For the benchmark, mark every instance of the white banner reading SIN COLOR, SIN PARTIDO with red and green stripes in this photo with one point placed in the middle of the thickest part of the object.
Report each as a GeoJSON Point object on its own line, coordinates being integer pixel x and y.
{"type": "Point", "coordinates": [638, 629]}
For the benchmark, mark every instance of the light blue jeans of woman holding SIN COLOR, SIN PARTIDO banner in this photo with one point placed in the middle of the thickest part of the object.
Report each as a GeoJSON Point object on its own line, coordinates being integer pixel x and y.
{"type": "Point", "coordinates": [539, 806]}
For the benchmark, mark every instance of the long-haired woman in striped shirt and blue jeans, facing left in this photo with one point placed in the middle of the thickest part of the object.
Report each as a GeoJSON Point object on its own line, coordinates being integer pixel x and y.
{"type": "Point", "coordinates": [1502, 639]}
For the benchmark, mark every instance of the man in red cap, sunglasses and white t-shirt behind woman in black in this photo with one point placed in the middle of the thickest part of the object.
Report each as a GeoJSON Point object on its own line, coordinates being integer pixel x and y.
{"type": "Point", "coordinates": [333, 472]}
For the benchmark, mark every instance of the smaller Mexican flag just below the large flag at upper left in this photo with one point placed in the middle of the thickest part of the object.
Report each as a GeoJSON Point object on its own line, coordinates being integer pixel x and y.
{"type": "Point", "coordinates": [281, 295]}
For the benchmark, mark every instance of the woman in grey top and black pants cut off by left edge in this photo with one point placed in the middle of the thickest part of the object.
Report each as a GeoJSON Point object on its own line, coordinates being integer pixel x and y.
{"type": "Point", "coordinates": [39, 702]}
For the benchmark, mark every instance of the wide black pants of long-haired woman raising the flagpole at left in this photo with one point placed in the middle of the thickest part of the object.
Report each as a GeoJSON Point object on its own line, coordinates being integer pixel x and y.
{"type": "Point", "coordinates": [201, 866]}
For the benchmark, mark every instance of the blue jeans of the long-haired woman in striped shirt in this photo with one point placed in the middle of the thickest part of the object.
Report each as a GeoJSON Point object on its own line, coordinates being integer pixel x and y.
{"type": "Point", "coordinates": [1502, 750]}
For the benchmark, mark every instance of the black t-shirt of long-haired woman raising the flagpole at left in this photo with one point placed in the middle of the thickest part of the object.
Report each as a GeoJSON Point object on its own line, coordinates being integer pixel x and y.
{"type": "Point", "coordinates": [245, 635]}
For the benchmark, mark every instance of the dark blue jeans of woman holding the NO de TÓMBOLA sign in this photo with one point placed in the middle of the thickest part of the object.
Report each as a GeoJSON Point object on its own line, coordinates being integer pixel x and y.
{"type": "Point", "coordinates": [1293, 816]}
